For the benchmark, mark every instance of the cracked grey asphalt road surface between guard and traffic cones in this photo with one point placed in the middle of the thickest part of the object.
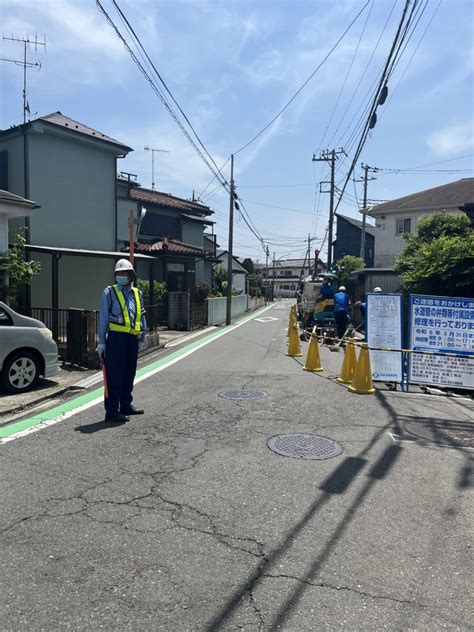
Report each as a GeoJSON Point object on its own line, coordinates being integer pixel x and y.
{"type": "Point", "coordinates": [184, 519]}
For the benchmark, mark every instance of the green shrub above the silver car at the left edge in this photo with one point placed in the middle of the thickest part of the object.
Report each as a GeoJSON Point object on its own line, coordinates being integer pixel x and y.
{"type": "Point", "coordinates": [15, 272]}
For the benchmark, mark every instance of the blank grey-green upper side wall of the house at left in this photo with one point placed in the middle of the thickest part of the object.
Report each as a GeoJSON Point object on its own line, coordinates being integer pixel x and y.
{"type": "Point", "coordinates": [74, 182]}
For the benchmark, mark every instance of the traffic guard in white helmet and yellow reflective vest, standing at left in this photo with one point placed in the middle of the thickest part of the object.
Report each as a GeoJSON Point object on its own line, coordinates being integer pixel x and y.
{"type": "Point", "coordinates": [122, 327]}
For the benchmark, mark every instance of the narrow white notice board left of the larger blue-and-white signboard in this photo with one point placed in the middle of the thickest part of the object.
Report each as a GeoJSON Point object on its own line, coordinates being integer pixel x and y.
{"type": "Point", "coordinates": [384, 330]}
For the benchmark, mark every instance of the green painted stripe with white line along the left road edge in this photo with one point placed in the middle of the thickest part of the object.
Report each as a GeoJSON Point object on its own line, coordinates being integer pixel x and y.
{"type": "Point", "coordinates": [77, 402]}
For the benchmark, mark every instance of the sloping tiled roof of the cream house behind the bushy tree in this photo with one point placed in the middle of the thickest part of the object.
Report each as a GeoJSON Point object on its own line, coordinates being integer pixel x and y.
{"type": "Point", "coordinates": [448, 196]}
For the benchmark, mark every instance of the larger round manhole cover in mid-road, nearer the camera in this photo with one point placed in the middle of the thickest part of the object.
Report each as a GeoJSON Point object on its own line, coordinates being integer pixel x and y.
{"type": "Point", "coordinates": [302, 446]}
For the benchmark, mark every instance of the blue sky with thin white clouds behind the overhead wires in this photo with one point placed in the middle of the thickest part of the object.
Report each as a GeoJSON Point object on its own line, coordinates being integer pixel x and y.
{"type": "Point", "coordinates": [232, 65]}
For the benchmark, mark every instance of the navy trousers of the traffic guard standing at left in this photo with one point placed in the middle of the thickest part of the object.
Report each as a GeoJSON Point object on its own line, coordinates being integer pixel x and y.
{"type": "Point", "coordinates": [121, 352]}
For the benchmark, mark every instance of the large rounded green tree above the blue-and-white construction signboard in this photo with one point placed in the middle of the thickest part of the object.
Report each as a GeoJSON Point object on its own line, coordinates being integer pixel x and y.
{"type": "Point", "coordinates": [439, 258]}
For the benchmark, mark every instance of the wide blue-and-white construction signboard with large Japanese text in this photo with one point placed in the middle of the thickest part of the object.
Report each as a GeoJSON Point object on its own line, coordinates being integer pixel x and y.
{"type": "Point", "coordinates": [440, 325]}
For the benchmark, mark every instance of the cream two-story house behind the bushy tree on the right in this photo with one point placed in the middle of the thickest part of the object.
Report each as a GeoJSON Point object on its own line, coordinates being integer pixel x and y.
{"type": "Point", "coordinates": [395, 218]}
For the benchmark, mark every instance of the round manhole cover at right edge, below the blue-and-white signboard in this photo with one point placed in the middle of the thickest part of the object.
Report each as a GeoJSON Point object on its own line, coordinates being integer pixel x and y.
{"type": "Point", "coordinates": [454, 434]}
